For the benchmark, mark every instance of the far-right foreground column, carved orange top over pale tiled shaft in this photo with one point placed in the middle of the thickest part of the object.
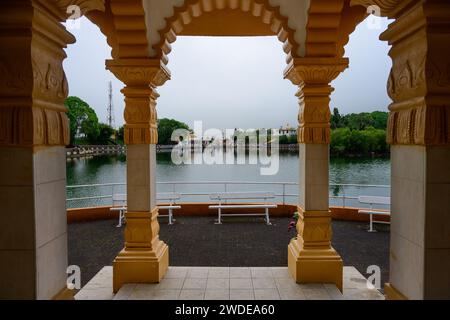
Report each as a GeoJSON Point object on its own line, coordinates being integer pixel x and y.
{"type": "Point", "coordinates": [419, 131]}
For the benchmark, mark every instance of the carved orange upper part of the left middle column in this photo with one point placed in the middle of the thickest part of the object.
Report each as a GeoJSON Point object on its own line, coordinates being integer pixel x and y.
{"type": "Point", "coordinates": [141, 77]}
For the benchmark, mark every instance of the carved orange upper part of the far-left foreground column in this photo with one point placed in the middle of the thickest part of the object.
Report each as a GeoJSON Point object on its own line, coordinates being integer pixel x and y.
{"type": "Point", "coordinates": [33, 85]}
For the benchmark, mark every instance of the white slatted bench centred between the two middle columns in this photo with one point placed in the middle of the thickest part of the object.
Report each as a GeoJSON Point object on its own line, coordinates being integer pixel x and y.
{"type": "Point", "coordinates": [223, 198]}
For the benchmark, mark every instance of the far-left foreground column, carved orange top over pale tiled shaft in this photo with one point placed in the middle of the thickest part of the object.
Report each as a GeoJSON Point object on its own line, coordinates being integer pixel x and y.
{"type": "Point", "coordinates": [33, 133]}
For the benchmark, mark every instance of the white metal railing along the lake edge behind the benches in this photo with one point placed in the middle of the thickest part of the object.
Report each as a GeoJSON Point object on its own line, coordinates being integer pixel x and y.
{"type": "Point", "coordinates": [343, 192]}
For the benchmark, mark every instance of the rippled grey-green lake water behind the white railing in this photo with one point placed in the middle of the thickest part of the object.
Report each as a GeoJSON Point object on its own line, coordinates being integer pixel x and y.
{"type": "Point", "coordinates": [112, 169]}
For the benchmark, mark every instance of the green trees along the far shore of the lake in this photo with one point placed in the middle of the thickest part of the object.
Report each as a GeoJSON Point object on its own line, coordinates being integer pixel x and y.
{"type": "Point", "coordinates": [351, 135]}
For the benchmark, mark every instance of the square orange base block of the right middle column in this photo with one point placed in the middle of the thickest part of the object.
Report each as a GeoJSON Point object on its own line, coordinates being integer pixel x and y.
{"type": "Point", "coordinates": [315, 265]}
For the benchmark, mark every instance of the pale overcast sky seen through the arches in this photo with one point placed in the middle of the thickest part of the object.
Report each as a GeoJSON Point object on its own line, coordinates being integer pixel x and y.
{"type": "Point", "coordinates": [231, 82]}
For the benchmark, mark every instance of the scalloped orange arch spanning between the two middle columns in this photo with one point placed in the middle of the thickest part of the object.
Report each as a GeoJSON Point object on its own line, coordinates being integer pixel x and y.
{"type": "Point", "coordinates": [193, 9]}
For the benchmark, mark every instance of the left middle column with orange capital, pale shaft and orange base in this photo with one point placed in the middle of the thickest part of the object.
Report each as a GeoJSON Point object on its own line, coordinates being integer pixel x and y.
{"type": "Point", "coordinates": [145, 258]}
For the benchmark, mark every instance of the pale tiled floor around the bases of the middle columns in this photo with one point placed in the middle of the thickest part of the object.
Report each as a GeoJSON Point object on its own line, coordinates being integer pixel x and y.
{"type": "Point", "coordinates": [212, 283]}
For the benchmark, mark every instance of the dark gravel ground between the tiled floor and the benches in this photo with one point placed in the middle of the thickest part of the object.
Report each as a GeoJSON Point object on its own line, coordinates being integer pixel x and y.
{"type": "Point", "coordinates": [197, 241]}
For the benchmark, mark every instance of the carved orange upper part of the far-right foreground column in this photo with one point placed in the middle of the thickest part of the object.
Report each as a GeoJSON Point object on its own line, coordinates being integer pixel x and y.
{"type": "Point", "coordinates": [419, 82]}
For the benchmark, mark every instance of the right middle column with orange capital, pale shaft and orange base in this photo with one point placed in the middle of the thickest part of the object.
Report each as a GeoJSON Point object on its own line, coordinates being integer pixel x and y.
{"type": "Point", "coordinates": [310, 255]}
